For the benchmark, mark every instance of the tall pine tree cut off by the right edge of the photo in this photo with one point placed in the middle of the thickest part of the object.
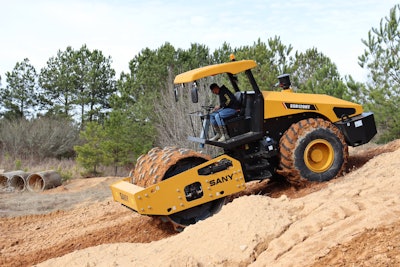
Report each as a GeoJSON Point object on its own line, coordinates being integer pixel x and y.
{"type": "Point", "coordinates": [381, 58]}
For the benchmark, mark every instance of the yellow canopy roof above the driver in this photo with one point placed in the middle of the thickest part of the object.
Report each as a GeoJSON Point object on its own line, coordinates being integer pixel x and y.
{"type": "Point", "coordinates": [233, 67]}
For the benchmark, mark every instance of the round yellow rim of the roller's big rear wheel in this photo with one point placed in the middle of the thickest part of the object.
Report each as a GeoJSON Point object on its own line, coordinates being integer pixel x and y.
{"type": "Point", "coordinates": [319, 155]}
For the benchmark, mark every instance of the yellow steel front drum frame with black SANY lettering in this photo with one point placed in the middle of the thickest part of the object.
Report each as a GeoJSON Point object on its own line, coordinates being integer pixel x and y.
{"type": "Point", "coordinates": [169, 196]}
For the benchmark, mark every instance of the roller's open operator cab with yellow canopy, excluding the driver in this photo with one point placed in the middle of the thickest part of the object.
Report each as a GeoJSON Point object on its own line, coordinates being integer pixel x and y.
{"type": "Point", "coordinates": [247, 125]}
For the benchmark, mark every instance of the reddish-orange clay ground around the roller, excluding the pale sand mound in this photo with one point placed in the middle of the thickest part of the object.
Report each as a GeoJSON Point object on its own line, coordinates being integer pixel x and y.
{"type": "Point", "coordinates": [35, 227]}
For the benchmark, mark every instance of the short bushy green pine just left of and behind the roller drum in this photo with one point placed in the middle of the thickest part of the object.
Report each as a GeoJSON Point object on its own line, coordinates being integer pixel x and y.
{"type": "Point", "coordinates": [118, 143]}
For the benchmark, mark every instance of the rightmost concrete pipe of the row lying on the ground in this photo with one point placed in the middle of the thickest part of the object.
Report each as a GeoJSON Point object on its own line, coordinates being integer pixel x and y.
{"type": "Point", "coordinates": [37, 182]}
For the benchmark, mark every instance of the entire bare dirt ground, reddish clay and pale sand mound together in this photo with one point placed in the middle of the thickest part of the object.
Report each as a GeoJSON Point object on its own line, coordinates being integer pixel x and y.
{"type": "Point", "coordinates": [350, 221]}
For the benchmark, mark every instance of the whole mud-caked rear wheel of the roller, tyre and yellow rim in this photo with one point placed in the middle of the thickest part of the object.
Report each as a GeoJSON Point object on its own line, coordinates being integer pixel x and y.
{"type": "Point", "coordinates": [313, 150]}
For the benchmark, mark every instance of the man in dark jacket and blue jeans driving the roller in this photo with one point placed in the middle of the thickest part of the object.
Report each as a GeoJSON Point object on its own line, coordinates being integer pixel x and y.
{"type": "Point", "coordinates": [227, 107]}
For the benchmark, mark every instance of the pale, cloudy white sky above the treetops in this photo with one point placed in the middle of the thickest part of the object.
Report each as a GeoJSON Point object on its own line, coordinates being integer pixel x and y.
{"type": "Point", "coordinates": [121, 28]}
